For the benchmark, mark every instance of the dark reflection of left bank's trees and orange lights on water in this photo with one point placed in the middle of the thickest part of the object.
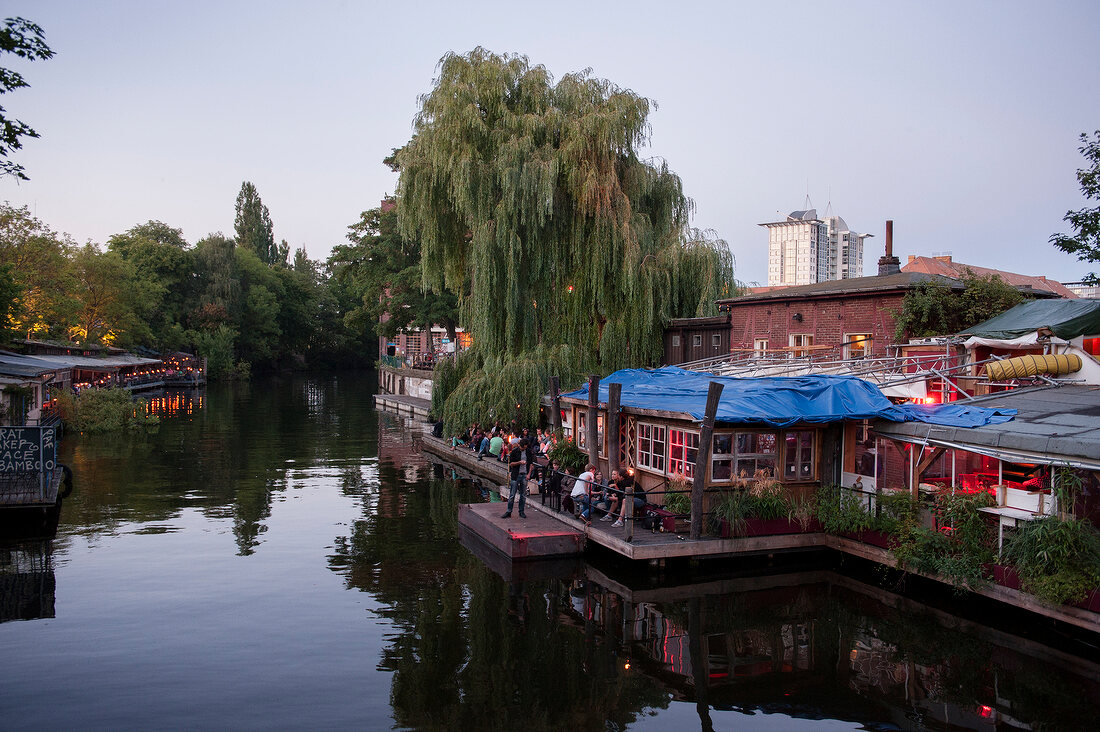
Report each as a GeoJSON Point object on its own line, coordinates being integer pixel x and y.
{"type": "Point", "coordinates": [232, 462]}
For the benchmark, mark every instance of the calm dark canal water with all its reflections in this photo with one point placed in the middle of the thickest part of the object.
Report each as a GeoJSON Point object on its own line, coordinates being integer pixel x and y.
{"type": "Point", "coordinates": [280, 555]}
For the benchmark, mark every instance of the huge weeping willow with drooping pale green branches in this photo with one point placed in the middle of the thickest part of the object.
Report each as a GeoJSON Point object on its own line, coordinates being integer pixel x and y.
{"type": "Point", "coordinates": [530, 199]}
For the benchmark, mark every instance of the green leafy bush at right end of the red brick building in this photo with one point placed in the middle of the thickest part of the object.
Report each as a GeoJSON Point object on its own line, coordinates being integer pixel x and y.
{"type": "Point", "coordinates": [938, 309]}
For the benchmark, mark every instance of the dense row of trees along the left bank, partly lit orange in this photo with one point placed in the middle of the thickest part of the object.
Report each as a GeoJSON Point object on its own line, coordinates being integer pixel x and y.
{"type": "Point", "coordinates": [243, 302]}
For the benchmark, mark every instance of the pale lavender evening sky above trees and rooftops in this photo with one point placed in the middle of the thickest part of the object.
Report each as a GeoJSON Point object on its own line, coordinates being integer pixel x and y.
{"type": "Point", "coordinates": [958, 121]}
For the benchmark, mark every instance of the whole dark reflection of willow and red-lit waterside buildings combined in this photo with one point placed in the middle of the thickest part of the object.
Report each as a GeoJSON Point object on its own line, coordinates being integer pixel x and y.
{"type": "Point", "coordinates": [481, 639]}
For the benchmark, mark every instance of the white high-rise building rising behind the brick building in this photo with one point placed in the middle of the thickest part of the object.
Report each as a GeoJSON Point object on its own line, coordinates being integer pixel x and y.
{"type": "Point", "coordinates": [805, 250]}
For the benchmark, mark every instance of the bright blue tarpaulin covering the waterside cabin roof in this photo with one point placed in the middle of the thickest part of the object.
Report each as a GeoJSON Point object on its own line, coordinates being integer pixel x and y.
{"type": "Point", "coordinates": [780, 401]}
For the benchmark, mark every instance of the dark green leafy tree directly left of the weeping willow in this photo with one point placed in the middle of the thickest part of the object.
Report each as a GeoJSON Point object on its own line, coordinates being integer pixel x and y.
{"type": "Point", "coordinates": [382, 268]}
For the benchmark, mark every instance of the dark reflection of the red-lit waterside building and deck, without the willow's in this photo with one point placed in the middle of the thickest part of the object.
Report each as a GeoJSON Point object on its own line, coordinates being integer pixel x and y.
{"type": "Point", "coordinates": [821, 646]}
